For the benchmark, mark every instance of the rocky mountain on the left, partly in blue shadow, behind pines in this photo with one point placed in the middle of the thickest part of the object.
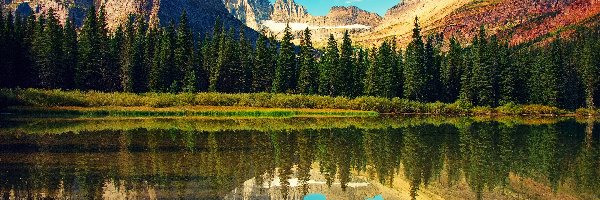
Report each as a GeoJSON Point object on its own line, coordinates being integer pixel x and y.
{"type": "Point", "coordinates": [202, 14]}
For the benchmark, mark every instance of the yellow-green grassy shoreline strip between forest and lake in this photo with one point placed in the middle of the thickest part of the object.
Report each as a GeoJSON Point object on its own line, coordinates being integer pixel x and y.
{"type": "Point", "coordinates": [98, 104]}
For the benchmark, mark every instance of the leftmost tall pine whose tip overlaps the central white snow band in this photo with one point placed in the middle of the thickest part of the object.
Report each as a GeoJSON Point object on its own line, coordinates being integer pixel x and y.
{"type": "Point", "coordinates": [286, 76]}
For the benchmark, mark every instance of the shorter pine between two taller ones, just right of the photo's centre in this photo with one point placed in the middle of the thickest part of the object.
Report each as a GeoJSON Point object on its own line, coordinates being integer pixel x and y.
{"type": "Point", "coordinates": [329, 67]}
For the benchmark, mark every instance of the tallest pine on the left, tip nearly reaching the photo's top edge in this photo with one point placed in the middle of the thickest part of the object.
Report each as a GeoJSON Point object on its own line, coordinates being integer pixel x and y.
{"type": "Point", "coordinates": [90, 52]}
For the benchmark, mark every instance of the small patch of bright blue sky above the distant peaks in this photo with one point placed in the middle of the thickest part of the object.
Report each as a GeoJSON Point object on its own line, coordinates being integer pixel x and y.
{"type": "Point", "coordinates": [321, 7]}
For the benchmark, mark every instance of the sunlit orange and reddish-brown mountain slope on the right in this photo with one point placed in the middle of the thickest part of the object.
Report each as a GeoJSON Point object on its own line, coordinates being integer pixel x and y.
{"type": "Point", "coordinates": [518, 21]}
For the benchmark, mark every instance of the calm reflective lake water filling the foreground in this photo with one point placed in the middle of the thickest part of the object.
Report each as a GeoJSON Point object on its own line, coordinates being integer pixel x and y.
{"type": "Point", "coordinates": [343, 158]}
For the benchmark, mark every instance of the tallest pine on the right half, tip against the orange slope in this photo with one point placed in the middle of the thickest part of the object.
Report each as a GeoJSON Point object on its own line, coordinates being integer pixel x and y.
{"type": "Point", "coordinates": [415, 77]}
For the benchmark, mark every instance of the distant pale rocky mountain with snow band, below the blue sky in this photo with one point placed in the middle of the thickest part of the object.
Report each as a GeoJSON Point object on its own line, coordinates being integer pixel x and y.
{"type": "Point", "coordinates": [262, 16]}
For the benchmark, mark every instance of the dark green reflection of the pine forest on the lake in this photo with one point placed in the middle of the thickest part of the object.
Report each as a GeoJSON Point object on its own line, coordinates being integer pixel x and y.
{"type": "Point", "coordinates": [485, 154]}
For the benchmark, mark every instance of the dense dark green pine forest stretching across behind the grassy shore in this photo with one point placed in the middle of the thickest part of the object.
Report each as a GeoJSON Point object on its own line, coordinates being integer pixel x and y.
{"type": "Point", "coordinates": [41, 52]}
